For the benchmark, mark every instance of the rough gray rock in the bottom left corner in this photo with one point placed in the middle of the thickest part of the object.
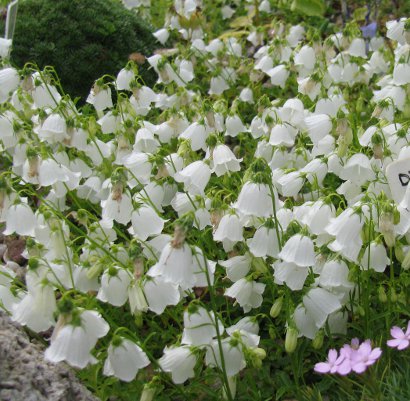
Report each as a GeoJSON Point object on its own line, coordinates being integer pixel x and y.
{"type": "Point", "coordinates": [26, 376]}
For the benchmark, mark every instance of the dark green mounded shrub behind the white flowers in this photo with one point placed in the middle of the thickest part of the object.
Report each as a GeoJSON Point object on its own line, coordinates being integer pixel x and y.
{"type": "Point", "coordinates": [82, 39]}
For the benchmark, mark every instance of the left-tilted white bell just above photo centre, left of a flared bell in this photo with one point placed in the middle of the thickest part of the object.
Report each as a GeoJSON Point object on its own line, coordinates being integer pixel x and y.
{"type": "Point", "coordinates": [195, 177]}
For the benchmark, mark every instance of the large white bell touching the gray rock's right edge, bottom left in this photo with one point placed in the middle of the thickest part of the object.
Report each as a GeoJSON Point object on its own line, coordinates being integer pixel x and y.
{"type": "Point", "coordinates": [74, 340]}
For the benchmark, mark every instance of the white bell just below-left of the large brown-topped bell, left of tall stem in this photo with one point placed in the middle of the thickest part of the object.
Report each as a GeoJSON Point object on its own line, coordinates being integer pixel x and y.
{"type": "Point", "coordinates": [160, 293]}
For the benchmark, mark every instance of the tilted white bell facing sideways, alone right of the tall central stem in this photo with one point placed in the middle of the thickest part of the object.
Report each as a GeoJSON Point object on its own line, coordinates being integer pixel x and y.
{"type": "Point", "coordinates": [248, 293]}
